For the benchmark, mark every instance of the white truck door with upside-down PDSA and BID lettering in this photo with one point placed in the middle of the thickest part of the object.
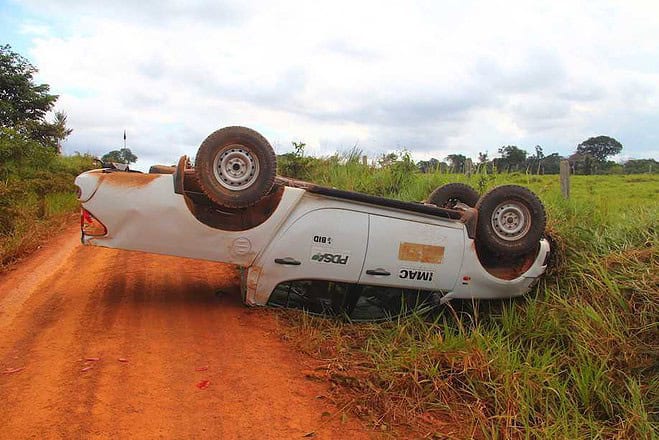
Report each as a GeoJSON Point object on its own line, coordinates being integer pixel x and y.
{"type": "Point", "coordinates": [324, 244]}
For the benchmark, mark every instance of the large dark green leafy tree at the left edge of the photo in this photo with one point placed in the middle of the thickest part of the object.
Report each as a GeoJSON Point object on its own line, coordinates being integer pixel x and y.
{"type": "Point", "coordinates": [24, 104]}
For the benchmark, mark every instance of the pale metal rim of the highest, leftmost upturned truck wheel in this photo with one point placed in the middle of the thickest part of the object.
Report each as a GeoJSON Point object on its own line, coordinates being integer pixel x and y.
{"type": "Point", "coordinates": [235, 167]}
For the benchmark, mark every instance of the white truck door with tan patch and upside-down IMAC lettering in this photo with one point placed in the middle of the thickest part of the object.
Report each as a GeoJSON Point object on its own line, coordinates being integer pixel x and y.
{"type": "Point", "coordinates": [403, 253]}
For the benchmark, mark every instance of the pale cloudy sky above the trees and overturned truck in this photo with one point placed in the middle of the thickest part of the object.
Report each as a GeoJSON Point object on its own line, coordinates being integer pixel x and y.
{"type": "Point", "coordinates": [432, 77]}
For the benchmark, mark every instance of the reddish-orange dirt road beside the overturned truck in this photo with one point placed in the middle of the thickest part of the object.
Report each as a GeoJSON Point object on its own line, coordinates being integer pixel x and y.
{"type": "Point", "coordinates": [99, 343]}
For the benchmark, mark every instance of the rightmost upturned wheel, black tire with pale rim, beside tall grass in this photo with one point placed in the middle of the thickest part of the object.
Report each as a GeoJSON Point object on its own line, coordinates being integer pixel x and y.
{"type": "Point", "coordinates": [511, 221]}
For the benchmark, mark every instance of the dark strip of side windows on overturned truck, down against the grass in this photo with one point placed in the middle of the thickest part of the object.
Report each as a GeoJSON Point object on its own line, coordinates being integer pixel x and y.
{"type": "Point", "coordinates": [355, 302]}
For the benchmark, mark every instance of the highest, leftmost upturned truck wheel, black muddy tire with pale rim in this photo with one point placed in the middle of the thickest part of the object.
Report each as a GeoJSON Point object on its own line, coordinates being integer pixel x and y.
{"type": "Point", "coordinates": [236, 167]}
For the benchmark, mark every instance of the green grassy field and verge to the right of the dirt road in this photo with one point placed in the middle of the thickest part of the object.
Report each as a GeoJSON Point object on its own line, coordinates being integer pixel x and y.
{"type": "Point", "coordinates": [576, 358]}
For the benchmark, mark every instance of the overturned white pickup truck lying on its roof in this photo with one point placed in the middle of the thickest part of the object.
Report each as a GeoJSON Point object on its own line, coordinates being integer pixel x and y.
{"type": "Point", "coordinates": [322, 249]}
